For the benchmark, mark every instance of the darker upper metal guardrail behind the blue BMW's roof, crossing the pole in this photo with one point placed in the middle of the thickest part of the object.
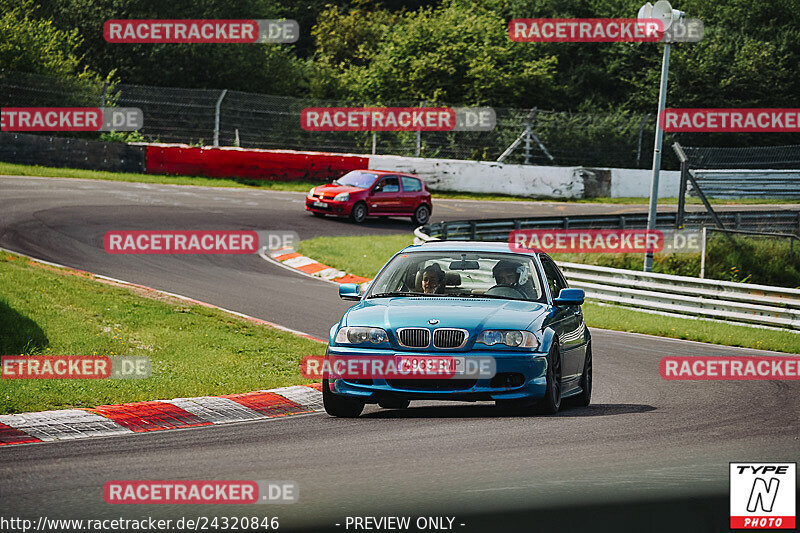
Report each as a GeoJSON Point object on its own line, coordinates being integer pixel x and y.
{"type": "Point", "coordinates": [498, 229]}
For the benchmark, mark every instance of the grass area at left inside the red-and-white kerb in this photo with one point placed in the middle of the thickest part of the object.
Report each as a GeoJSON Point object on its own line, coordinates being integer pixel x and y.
{"type": "Point", "coordinates": [195, 351]}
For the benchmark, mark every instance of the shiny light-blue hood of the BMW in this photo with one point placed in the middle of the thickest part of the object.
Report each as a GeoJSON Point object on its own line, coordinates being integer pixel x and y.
{"type": "Point", "coordinates": [451, 312]}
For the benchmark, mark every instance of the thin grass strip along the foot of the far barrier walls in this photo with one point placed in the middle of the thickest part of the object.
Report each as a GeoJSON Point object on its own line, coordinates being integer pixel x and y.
{"type": "Point", "coordinates": [12, 169]}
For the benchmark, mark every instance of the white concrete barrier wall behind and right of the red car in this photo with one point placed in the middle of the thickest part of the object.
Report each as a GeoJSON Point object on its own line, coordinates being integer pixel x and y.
{"type": "Point", "coordinates": [522, 180]}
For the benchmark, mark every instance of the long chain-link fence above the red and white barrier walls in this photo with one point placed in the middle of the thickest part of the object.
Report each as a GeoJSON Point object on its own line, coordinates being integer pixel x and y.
{"type": "Point", "coordinates": [253, 120]}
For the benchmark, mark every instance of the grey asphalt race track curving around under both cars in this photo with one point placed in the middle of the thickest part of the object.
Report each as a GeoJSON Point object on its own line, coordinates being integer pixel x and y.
{"type": "Point", "coordinates": [648, 455]}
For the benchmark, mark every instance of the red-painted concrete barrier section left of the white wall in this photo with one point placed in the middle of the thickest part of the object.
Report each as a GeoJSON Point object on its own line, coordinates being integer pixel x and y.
{"type": "Point", "coordinates": [281, 165]}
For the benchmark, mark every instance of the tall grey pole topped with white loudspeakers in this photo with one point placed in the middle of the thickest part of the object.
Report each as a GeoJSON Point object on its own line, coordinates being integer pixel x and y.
{"type": "Point", "coordinates": [661, 10]}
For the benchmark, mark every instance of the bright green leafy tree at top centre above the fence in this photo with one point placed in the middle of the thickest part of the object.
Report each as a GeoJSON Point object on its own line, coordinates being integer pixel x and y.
{"type": "Point", "coordinates": [451, 53]}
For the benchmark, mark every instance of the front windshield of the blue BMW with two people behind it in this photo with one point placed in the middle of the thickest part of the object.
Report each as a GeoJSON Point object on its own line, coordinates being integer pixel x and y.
{"type": "Point", "coordinates": [460, 274]}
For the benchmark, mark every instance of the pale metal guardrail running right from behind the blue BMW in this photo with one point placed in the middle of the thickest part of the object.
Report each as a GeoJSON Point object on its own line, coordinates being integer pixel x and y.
{"type": "Point", "coordinates": [744, 303]}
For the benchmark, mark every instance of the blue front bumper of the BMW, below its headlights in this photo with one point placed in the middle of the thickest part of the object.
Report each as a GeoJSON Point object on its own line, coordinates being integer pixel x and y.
{"type": "Point", "coordinates": [532, 366]}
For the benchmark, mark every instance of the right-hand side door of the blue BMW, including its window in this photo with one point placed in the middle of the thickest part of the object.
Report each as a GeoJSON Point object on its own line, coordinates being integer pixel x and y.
{"type": "Point", "coordinates": [570, 327]}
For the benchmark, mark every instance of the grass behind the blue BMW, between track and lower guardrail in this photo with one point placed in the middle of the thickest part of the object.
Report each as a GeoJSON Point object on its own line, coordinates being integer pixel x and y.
{"type": "Point", "coordinates": [364, 256]}
